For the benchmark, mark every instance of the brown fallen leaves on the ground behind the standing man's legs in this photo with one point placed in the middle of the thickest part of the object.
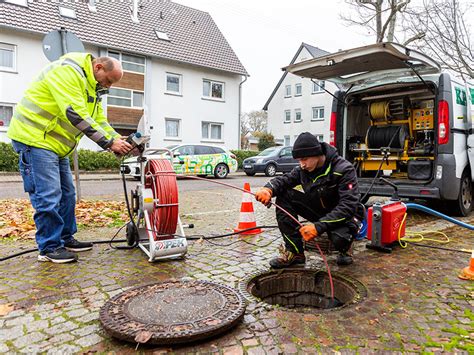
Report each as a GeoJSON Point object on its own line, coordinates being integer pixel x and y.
{"type": "Point", "coordinates": [16, 216]}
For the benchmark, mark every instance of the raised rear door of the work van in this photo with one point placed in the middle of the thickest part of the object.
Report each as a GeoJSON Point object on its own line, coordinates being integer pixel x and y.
{"type": "Point", "coordinates": [368, 63]}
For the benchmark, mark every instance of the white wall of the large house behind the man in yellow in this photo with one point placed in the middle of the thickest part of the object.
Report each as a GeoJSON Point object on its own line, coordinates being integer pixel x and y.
{"type": "Point", "coordinates": [190, 108]}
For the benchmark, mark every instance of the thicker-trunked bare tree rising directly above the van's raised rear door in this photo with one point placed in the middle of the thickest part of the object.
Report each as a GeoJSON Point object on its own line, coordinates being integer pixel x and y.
{"type": "Point", "coordinates": [379, 16]}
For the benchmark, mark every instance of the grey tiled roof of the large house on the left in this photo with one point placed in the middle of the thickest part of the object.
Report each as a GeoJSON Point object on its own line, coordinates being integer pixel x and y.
{"type": "Point", "coordinates": [194, 36]}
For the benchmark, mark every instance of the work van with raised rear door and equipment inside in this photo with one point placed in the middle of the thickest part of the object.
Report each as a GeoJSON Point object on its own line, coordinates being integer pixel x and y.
{"type": "Point", "coordinates": [398, 116]}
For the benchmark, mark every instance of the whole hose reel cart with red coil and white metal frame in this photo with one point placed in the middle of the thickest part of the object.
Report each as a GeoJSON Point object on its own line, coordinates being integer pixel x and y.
{"type": "Point", "coordinates": [154, 208]}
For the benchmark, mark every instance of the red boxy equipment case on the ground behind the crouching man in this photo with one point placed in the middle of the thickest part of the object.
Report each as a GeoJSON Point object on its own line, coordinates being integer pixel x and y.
{"type": "Point", "coordinates": [385, 222]}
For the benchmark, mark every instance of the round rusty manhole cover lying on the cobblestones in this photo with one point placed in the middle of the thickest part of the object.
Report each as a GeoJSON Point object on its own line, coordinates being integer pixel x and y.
{"type": "Point", "coordinates": [172, 312]}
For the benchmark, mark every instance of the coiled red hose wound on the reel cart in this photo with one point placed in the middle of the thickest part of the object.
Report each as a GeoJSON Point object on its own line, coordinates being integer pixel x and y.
{"type": "Point", "coordinates": [161, 179]}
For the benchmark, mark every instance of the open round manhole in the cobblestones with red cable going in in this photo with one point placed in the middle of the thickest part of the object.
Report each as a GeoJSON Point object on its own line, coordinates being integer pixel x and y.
{"type": "Point", "coordinates": [305, 288]}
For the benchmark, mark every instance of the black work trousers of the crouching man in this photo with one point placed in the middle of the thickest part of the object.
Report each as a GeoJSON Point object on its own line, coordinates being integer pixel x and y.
{"type": "Point", "coordinates": [299, 204]}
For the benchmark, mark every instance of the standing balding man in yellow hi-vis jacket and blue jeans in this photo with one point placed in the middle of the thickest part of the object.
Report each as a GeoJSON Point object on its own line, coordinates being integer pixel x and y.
{"type": "Point", "coordinates": [62, 104]}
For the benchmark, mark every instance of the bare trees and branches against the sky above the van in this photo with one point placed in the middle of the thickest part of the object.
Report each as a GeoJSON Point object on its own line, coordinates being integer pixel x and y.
{"type": "Point", "coordinates": [438, 28]}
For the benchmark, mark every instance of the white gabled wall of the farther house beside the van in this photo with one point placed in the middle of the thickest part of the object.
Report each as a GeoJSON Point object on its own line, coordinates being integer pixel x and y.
{"type": "Point", "coordinates": [305, 107]}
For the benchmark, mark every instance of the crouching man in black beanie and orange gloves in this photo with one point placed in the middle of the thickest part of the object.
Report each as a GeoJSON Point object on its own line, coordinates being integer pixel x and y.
{"type": "Point", "coordinates": [330, 201]}
